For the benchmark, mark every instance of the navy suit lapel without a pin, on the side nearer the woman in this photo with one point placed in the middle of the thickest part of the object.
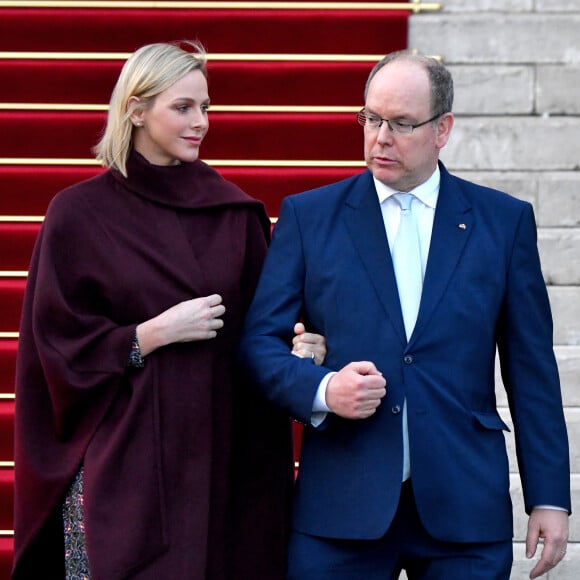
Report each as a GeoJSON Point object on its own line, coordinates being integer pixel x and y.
{"type": "Point", "coordinates": [364, 222]}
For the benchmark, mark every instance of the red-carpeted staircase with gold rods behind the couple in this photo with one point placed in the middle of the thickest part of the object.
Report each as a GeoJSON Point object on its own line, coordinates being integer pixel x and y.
{"type": "Point", "coordinates": [285, 82]}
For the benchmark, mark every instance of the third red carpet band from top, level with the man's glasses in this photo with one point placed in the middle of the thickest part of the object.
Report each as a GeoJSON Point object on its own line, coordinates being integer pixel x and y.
{"type": "Point", "coordinates": [325, 136]}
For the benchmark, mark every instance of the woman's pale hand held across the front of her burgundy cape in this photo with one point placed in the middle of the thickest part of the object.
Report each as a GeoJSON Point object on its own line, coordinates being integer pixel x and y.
{"type": "Point", "coordinates": [196, 319]}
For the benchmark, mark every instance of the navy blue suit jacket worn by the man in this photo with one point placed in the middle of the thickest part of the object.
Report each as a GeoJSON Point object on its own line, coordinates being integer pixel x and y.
{"type": "Point", "coordinates": [329, 262]}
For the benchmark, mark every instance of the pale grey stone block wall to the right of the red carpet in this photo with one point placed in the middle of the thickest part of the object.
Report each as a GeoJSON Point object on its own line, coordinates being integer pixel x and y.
{"type": "Point", "coordinates": [516, 65]}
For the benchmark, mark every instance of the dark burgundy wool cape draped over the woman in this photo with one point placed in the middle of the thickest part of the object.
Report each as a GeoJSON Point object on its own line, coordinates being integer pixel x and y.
{"type": "Point", "coordinates": [187, 472]}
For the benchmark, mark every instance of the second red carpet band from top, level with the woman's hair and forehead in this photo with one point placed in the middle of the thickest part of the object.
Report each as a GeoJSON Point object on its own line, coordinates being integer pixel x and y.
{"type": "Point", "coordinates": [239, 83]}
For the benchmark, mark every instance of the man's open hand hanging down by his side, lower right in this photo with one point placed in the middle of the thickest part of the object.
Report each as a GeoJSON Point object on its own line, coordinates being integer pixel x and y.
{"type": "Point", "coordinates": [552, 526]}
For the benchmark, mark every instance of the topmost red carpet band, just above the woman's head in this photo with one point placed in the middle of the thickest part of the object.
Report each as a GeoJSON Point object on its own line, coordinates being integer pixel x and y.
{"type": "Point", "coordinates": [221, 31]}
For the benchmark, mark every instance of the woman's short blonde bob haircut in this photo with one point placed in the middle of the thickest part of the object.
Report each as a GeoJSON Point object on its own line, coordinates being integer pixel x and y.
{"type": "Point", "coordinates": [150, 70]}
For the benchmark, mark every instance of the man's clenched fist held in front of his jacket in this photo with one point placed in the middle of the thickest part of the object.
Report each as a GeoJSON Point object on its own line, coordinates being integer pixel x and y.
{"type": "Point", "coordinates": [356, 390]}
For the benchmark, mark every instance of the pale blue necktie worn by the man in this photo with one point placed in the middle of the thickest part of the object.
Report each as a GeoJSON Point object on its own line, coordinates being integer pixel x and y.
{"type": "Point", "coordinates": [408, 271]}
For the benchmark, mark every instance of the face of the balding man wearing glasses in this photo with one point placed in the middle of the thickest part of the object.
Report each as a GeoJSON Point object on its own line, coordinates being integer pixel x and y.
{"type": "Point", "coordinates": [400, 91]}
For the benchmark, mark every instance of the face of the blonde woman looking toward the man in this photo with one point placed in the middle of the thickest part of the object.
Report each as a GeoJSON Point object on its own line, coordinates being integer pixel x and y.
{"type": "Point", "coordinates": [171, 130]}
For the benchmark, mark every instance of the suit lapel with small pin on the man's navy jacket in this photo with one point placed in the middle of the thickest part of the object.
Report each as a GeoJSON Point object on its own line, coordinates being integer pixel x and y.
{"type": "Point", "coordinates": [452, 227]}
